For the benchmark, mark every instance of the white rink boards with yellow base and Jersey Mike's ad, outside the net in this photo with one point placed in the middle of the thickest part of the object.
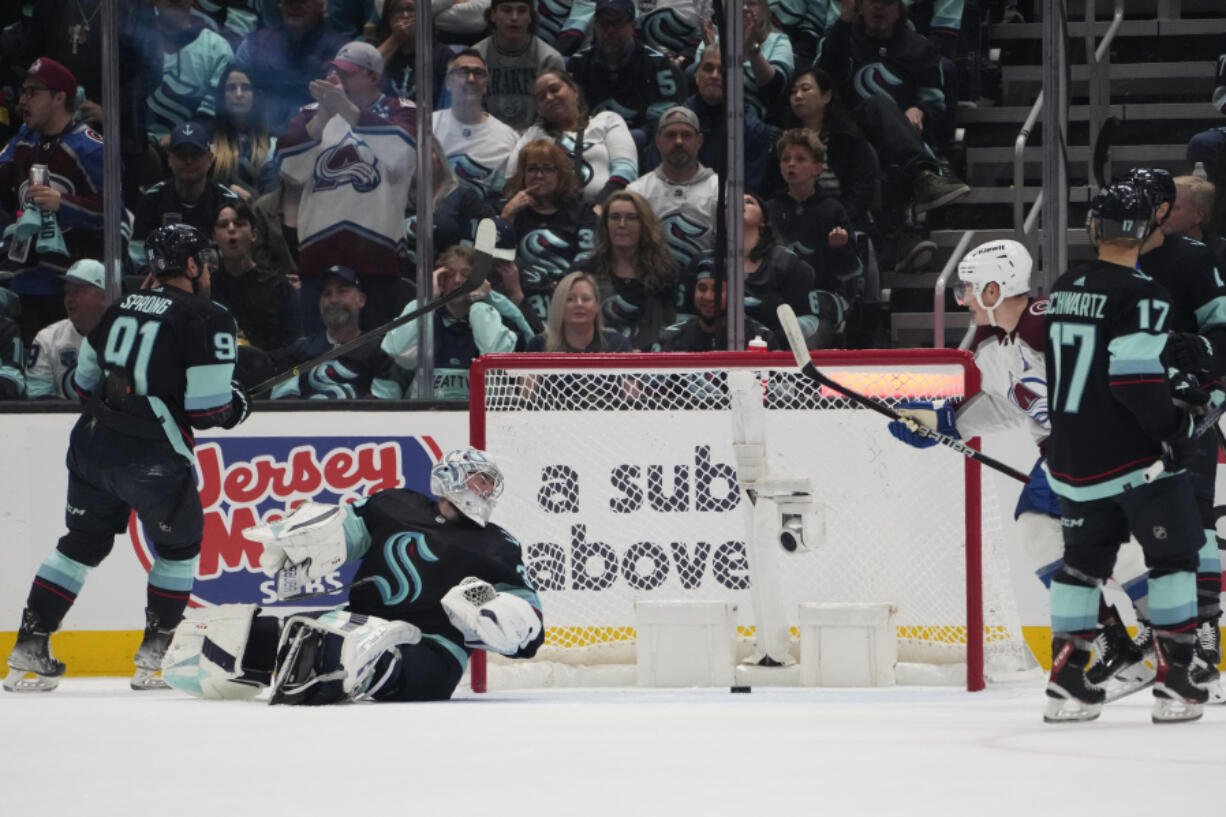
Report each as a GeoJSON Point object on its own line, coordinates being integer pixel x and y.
{"type": "Point", "coordinates": [270, 461]}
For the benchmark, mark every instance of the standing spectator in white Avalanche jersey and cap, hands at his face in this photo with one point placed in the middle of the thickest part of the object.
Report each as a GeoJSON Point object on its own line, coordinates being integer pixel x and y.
{"type": "Point", "coordinates": [354, 155]}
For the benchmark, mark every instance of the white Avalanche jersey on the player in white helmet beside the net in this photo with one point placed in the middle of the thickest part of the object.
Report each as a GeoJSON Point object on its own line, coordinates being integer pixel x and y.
{"type": "Point", "coordinates": [1013, 374]}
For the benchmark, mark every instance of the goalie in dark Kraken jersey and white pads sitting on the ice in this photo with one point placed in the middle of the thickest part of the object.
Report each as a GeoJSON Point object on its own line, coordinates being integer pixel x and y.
{"type": "Point", "coordinates": [437, 580]}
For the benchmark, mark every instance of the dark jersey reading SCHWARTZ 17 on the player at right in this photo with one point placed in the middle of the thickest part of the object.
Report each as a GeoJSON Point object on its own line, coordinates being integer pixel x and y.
{"type": "Point", "coordinates": [1108, 391]}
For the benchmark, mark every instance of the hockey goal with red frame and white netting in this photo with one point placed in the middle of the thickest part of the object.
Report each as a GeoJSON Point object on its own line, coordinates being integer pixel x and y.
{"type": "Point", "coordinates": [621, 486]}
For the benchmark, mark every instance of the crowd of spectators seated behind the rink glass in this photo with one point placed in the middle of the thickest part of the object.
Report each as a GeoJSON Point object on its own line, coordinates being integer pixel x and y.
{"type": "Point", "coordinates": [592, 132]}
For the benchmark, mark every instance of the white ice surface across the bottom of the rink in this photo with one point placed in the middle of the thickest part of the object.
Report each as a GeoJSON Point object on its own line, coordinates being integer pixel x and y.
{"type": "Point", "coordinates": [95, 749]}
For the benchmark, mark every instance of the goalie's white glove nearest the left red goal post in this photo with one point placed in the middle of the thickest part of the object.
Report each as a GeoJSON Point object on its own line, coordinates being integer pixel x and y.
{"type": "Point", "coordinates": [500, 623]}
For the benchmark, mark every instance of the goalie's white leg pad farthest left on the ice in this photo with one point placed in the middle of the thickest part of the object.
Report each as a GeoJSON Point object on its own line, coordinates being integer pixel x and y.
{"type": "Point", "coordinates": [205, 658]}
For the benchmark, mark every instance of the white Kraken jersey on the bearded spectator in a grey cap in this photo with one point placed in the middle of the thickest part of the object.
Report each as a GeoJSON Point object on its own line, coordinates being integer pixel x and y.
{"type": "Point", "coordinates": [687, 210]}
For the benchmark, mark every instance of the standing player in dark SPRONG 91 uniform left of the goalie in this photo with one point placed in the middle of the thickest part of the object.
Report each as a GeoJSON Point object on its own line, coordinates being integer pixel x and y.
{"type": "Point", "coordinates": [158, 365]}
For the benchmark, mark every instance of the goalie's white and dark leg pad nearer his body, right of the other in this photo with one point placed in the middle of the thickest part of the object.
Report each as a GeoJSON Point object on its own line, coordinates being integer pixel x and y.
{"type": "Point", "coordinates": [335, 657]}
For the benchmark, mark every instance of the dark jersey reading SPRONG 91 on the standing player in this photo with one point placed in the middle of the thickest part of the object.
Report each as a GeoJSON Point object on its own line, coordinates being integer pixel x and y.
{"type": "Point", "coordinates": [175, 353]}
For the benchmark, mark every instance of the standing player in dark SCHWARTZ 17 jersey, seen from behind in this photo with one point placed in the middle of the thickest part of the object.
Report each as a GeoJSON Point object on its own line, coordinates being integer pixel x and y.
{"type": "Point", "coordinates": [1113, 419]}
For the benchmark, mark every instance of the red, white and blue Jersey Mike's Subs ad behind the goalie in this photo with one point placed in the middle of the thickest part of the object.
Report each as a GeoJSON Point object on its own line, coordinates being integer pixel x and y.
{"type": "Point", "coordinates": [254, 480]}
